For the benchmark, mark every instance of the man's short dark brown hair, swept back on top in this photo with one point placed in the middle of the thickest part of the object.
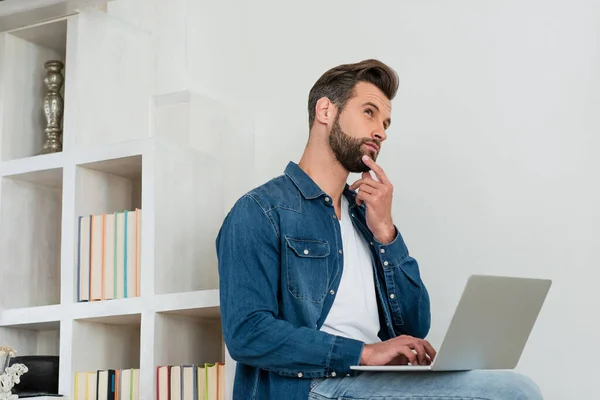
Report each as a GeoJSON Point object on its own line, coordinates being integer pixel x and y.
{"type": "Point", "coordinates": [338, 83]}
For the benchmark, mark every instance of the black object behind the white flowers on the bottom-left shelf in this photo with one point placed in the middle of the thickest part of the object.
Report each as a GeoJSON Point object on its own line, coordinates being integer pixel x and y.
{"type": "Point", "coordinates": [41, 379]}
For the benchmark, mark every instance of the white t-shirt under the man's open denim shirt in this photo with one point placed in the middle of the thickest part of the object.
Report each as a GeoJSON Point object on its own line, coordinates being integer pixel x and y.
{"type": "Point", "coordinates": [354, 311]}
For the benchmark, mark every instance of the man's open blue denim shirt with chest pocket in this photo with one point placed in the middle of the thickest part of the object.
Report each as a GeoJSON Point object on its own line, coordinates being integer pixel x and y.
{"type": "Point", "coordinates": [280, 261]}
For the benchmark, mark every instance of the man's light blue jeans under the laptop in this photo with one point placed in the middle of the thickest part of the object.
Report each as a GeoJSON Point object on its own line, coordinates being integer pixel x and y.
{"type": "Point", "coordinates": [468, 385]}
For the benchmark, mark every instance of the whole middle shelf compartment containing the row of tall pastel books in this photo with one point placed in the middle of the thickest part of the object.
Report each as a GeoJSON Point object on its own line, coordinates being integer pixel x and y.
{"type": "Point", "coordinates": [107, 243]}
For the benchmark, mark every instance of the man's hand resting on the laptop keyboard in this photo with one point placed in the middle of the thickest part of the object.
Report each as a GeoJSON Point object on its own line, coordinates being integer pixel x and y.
{"type": "Point", "coordinates": [400, 350]}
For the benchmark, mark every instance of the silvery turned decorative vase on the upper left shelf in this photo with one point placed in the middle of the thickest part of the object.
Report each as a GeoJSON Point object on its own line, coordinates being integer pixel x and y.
{"type": "Point", "coordinates": [53, 107]}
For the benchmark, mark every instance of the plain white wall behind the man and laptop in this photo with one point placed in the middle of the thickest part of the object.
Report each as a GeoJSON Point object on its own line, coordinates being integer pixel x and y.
{"type": "Point", "coordinates": [492, 147]}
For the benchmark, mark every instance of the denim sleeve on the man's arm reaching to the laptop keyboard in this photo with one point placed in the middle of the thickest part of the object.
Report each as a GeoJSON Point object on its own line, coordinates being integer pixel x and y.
{"type": "Point", "coordinates": [248, 254]}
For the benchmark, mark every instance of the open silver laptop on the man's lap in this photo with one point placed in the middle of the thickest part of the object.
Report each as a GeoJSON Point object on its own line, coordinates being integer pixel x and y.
{"type": "Point", "coordinates": [490, 327]}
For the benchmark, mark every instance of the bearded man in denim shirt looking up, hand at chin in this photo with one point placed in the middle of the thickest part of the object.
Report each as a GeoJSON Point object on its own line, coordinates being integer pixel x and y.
{"type": "Point", "coordinates": [316, 277]}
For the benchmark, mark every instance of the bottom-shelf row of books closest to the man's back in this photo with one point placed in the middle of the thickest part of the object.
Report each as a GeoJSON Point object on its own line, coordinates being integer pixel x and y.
{"type": "Point", "coordinates": [191, 382]}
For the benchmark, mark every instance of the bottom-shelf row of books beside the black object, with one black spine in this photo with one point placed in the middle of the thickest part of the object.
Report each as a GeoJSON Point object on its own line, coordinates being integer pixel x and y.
{"type": "Point", "coordinates": [108, 384]}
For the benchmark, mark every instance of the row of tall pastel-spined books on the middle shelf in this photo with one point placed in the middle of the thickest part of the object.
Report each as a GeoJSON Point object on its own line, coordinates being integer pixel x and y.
{"type": "Point", "coordinates": [108, 255]}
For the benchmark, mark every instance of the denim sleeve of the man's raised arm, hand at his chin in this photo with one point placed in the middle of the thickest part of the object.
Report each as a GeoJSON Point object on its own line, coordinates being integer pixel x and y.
{"type": "Point", "coordinates": [407, 295]}
